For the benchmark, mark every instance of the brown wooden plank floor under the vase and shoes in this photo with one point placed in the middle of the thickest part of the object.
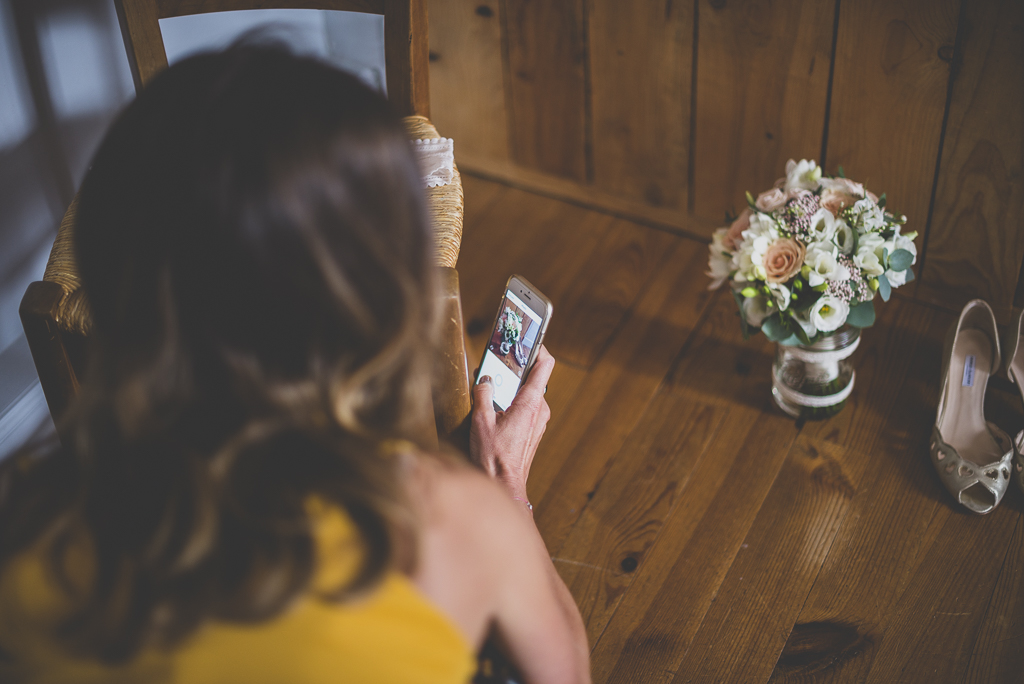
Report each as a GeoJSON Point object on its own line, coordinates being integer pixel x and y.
{"type": "Point", "coordinates": [706, 536]}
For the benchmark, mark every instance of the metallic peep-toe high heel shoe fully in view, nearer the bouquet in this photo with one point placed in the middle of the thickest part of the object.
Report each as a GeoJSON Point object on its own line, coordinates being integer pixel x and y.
{"type": "Point", "coordinates": [972, 456]}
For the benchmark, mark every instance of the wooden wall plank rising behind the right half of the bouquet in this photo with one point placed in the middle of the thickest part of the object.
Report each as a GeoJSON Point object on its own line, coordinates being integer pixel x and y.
{"type": "Point", "coordinates": [889, 95]}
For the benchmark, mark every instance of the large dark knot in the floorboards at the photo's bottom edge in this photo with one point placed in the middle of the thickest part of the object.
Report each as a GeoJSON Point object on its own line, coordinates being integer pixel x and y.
{"type": "Point", "coordinates": [814, 648]}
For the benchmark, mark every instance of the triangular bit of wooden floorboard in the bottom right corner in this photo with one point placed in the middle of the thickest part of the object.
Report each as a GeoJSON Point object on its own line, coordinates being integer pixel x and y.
{"type": "Point", "coordinates": [999, 654]}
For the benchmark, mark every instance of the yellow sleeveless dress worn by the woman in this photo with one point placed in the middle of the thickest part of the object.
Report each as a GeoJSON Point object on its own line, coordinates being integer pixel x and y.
{"type": "Point", "coordinates": [394, 636]}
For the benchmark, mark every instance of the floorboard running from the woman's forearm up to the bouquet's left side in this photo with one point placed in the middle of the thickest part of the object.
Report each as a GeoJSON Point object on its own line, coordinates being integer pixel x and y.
{"type": "Point", "coordinates": [574, 455]}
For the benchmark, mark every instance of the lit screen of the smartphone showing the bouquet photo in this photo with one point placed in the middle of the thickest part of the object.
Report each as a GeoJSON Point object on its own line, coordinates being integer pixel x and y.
{"type": "Point", "coordinates": [509, 349]}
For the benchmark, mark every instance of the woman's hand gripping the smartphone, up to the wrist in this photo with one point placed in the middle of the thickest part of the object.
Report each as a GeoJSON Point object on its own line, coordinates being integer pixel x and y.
{"type": "Point", "coordinates": [504, 444]}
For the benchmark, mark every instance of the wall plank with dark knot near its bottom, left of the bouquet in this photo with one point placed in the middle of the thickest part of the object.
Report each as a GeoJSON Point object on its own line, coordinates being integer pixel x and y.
{"type": "Point", "coordinates": [641, 57]}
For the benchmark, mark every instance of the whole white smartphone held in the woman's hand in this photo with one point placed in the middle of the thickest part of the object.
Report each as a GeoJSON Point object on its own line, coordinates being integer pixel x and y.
{"type": "Point", "coordinates": [520, 327]}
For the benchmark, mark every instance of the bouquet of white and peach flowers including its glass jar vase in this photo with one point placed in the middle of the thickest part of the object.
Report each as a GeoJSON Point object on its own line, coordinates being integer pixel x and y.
{"type": "Point", "coordinates": [805, 262]}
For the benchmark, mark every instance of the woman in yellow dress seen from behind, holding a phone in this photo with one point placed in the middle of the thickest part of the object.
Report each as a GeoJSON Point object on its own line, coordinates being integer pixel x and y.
{"type": "Point", "coordinates": [242, 498]}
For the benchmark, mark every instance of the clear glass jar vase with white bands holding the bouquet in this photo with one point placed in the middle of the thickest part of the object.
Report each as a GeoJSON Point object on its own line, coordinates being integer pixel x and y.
{"type": "Point", "coordinates": [814, 381]}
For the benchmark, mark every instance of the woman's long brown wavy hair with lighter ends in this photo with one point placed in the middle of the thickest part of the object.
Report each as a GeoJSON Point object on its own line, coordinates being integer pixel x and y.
{"type": "Point", "coordinates": [253, 244]}
